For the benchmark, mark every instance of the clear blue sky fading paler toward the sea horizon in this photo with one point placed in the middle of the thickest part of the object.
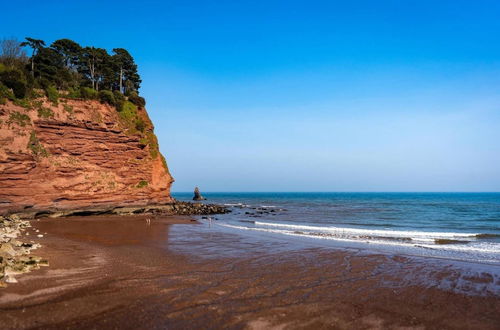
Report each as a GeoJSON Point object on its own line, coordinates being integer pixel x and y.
{"type": "Point", "coordinates": [304, 95]}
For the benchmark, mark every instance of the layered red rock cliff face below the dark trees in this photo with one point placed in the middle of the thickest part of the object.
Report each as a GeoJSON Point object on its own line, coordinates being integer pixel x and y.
{"type": "Point", "coordinates": [77, 154]}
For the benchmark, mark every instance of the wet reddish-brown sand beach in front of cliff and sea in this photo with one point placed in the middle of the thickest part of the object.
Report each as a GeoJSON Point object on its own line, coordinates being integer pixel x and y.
{"type": "Point", "coordinates": [119, 272]}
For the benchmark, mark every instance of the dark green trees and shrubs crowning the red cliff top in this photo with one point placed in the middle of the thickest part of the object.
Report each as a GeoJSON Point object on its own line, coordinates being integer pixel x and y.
{"type": "Point", "coordinates": [65, 65]}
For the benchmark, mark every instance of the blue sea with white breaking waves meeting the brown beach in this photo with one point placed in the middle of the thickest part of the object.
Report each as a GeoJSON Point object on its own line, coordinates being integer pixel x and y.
{"type": "Point", "coordinates": [463, 226]}
